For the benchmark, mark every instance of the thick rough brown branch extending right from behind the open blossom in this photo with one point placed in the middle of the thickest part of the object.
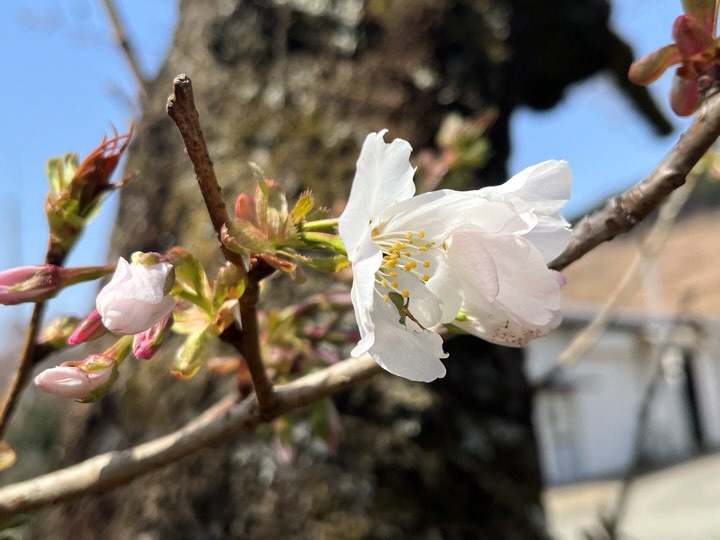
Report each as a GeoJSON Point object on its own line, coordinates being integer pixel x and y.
{"type": "Point", "coordinates": [623, 212]}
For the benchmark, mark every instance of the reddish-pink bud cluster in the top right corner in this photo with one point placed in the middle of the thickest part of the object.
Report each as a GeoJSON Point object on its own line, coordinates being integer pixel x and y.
{"type": "Point", "coordinates": [696, 49]}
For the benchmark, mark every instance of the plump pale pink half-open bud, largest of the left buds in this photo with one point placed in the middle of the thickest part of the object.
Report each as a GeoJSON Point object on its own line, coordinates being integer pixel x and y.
{"type": "Point", "coordinates": [136, 297]}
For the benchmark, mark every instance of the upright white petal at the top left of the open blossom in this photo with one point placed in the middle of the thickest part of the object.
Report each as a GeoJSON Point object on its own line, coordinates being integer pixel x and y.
{"type": "Point", "coordinates": [383, 177]}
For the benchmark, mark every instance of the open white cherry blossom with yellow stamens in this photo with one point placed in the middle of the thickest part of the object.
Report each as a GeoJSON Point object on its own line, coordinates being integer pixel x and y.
{"type": "Point", "coordinates": [477, 259]}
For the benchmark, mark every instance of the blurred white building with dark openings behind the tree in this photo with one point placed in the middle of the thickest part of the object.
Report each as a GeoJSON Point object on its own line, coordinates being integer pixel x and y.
{"type": "Point", "coordinates": [585, 421]}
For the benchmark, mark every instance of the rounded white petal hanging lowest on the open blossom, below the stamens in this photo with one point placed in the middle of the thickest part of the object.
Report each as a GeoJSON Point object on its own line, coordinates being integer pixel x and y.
{"type": "Point", "coordinates": [407, 351]}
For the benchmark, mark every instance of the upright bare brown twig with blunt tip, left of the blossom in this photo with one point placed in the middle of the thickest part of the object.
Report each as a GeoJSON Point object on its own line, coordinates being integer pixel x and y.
{"type": "Point", "coordinates": [181, 108]}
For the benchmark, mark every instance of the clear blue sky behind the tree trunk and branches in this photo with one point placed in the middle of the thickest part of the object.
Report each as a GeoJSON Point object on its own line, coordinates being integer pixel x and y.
{"type": "Point", "coordinates": [65, 84]}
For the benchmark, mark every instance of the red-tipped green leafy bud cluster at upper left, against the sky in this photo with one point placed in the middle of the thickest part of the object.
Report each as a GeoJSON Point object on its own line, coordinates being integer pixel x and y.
{"type": "Point", "coordinates": [77, 189]}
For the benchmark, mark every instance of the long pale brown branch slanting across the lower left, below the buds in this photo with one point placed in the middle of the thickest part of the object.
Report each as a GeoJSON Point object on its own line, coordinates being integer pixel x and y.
{"type": "Point", "coordinates": [229, 417]}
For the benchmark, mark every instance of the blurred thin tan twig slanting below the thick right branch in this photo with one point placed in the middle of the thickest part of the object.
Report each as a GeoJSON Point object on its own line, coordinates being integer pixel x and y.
{"type": "Point", "coordinates": [648, 249]}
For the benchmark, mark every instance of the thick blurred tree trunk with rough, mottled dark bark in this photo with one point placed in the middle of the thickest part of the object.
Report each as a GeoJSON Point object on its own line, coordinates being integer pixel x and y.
{"type": "Point", "coordinates": [296, 88]}
